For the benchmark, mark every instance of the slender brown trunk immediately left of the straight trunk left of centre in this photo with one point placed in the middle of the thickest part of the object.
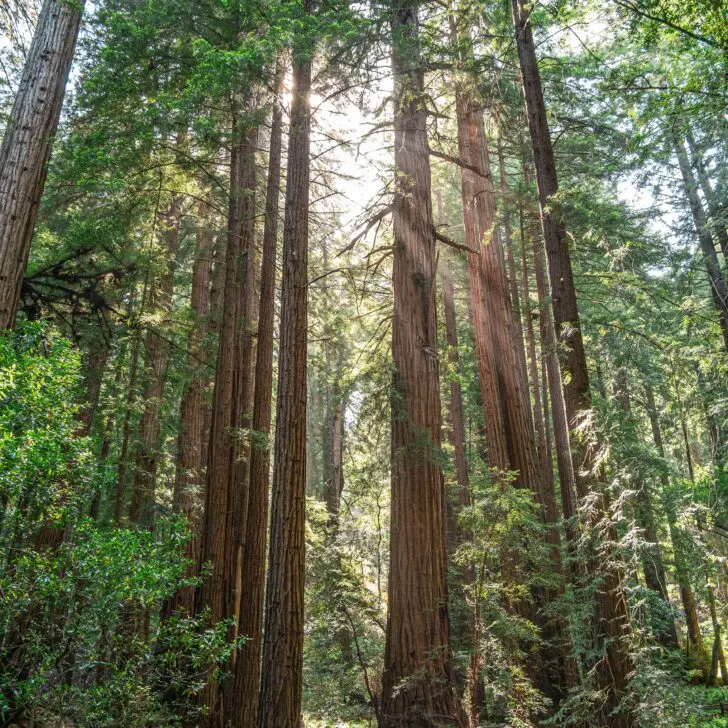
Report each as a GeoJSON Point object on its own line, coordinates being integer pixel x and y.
{"type": "Point", "coordinates": [247, 665]}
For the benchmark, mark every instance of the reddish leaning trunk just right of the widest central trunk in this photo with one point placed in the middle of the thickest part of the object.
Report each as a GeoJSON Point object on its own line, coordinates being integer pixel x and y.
{"type": "Point", "coordinates": [501, 362]}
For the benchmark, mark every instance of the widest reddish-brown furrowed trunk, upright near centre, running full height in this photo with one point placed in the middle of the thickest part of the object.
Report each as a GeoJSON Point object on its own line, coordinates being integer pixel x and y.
{"type": "Point", "coordinates": [417, 684]}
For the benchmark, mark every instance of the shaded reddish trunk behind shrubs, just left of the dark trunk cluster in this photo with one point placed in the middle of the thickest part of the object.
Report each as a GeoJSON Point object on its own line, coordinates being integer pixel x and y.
{"type": "Point", "coordinates": [190, 477]}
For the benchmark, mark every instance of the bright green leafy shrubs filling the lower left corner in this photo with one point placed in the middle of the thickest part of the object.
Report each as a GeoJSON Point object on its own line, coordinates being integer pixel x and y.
{"type": "Point", "coordinates": [69, 589]}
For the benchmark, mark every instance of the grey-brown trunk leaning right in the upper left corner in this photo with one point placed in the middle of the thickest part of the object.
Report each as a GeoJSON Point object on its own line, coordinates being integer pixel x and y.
{"type": "Point", "coordinates": [28, 140]}
